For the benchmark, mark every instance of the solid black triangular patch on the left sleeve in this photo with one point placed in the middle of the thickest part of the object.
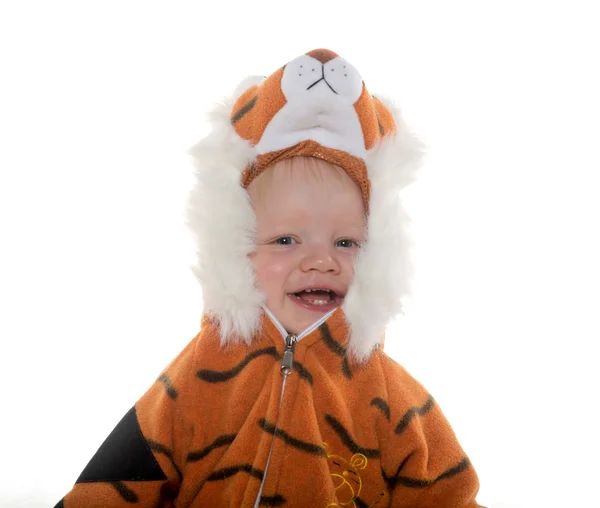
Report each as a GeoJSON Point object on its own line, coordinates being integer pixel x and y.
{"type": "Point", "coordinates": [124, 456]}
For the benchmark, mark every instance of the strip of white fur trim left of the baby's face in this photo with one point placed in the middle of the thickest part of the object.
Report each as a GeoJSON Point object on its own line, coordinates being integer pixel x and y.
{"type": "Point", "coordinates": [221, 218]}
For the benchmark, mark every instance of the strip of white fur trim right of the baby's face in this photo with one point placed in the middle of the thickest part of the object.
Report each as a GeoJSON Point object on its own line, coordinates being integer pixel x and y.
{"type": "Point", "coordinates": [383, 270]}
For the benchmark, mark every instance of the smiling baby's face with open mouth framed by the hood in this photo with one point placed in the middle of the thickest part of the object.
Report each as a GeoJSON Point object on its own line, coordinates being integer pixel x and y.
{"type": "Point", "coordinates": [310, 225]}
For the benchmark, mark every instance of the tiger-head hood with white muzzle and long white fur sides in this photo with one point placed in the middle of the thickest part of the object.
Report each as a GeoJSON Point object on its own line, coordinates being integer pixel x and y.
{"type": "Point", "coordinates": [317, 105]}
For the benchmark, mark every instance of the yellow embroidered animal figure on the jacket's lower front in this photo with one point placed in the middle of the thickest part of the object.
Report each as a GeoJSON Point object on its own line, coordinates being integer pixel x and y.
{"type": "Point", "coordinates": [346, 477]}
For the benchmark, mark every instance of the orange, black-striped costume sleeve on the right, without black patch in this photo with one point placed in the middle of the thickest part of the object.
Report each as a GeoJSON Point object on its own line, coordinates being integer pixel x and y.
{"type": "Point", "coordinates": [423, 463]}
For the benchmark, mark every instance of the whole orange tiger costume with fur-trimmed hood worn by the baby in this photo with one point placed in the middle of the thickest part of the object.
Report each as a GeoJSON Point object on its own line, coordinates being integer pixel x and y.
{"type": "Point", "coordinates": [248, 415]}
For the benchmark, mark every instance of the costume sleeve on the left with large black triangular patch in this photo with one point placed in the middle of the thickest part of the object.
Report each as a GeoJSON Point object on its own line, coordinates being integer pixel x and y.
{"type": "Point", "coordinates": [139, 462]}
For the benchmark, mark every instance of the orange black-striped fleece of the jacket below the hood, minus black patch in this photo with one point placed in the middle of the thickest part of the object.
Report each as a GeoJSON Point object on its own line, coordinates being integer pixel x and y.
{"type": "Point", "coordinates": [346, 435]}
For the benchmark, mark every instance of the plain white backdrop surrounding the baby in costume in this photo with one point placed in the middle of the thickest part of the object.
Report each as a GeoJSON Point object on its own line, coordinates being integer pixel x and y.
{"type": "Point", "coordinates": [99, 102]}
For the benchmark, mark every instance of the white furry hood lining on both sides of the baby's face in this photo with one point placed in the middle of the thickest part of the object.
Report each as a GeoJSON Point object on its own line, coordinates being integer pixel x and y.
{"type": "Point", "coordinates": [222, 220]}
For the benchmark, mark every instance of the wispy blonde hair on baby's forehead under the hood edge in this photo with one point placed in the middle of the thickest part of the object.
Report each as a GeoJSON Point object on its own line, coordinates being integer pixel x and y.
{"type": "Point", "coordinates": [300, 168]}
